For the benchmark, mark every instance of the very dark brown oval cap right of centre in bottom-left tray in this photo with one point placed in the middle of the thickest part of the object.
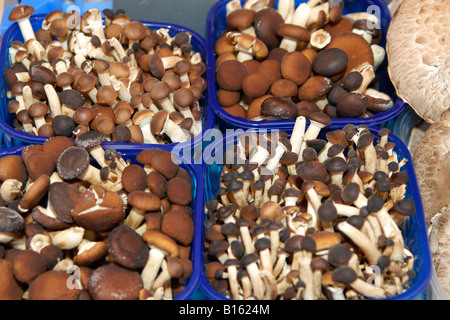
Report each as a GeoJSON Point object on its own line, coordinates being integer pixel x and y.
{"type": "Point", "coordinates": [127, 247]}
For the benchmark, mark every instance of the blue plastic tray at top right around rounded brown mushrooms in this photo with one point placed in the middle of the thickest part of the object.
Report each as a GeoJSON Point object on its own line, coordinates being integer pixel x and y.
{"type": "Point", "coordinates": [216, 24]}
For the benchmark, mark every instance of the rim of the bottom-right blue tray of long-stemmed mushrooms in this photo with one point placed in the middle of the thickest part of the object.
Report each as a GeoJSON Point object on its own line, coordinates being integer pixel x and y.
{"type": "Point", "coordinates": [422, 280]}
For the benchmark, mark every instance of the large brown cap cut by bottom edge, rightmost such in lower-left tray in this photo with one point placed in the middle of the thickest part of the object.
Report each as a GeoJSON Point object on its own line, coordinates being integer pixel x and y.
{"type": "Point", "coordinates": [113, 282]}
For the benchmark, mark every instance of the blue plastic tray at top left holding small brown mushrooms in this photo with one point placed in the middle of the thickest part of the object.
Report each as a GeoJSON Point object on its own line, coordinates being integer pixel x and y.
{"type": "Point", "coordinates": [19, 138]}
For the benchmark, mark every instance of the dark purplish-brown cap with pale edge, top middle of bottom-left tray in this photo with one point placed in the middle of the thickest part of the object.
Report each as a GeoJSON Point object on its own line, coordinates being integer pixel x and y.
{"type": "Point", "coordinates": [72, 162]}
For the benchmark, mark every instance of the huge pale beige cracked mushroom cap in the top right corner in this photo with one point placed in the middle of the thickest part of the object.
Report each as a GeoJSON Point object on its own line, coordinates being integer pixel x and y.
{"type": "Point", "coordinates": [422, 52]}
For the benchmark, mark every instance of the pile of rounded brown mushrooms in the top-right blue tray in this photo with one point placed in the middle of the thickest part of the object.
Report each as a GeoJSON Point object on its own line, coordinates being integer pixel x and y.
{"type": "Point", "coordinates": [291, 61]}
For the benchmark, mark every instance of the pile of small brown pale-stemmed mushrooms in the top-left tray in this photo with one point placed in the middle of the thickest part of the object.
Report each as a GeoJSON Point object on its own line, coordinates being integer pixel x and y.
{"type": "Point", "coordinates": [105, 73]}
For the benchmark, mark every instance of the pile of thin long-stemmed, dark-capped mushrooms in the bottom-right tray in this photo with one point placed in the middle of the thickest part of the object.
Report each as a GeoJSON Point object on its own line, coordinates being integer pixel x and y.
{"type": "Point", "coordinates": [310, 218]}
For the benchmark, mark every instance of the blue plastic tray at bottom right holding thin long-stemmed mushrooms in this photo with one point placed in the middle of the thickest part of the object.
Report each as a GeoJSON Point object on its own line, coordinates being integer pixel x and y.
{"type": "Point", "coordinates": [415, 231]}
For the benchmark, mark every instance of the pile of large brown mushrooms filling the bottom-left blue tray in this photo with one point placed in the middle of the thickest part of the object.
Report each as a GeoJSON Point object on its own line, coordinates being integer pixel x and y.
{"type": "Point", "coordinates": [79, 222]}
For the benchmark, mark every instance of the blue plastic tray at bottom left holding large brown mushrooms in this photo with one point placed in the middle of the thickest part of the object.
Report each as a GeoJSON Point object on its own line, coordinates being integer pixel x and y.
{"type": "Point", "coordinates": [197, 204]}
